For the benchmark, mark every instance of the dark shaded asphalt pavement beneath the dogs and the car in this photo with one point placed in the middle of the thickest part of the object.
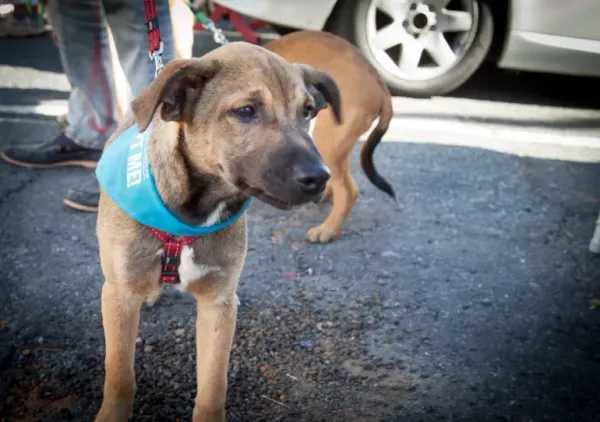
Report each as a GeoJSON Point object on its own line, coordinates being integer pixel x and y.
{"type": "Point", "coordinates": [472, 304]}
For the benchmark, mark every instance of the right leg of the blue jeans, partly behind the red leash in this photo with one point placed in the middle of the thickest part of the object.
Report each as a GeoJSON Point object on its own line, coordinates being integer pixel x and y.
{"type": "Point", "coordinates": [128, 27]}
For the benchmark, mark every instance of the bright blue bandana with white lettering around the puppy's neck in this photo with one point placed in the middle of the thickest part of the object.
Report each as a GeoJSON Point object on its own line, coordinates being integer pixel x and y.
{"type": "Point", "coordinates": [125, 176]}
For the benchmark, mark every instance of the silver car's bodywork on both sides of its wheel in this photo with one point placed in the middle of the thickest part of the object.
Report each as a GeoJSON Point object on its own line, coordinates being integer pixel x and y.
{"type": "Point", "coordinates": [542, 35]}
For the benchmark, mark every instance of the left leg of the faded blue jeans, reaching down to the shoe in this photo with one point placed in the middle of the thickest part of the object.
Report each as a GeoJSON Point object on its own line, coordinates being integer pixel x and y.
{"type": "Point", "coordinates": [80, 28]}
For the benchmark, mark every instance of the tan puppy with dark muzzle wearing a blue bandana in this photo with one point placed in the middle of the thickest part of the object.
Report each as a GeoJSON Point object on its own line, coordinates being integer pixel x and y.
{"type": "Point", "coordinates": [231, 124]}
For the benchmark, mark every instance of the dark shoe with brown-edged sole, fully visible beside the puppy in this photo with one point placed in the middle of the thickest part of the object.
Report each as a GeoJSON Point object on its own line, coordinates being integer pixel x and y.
{"type": "Point", "coordinates": [62, 151]}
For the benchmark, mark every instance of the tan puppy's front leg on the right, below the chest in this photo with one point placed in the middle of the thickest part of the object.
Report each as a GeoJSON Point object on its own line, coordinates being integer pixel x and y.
{"type": "Point", "coordinates": [215, 326]}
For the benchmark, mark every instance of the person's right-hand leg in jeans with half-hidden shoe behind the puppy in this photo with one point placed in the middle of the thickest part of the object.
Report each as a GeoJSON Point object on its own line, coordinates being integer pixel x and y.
{"type": "Point", "coordinates": [128, 27]}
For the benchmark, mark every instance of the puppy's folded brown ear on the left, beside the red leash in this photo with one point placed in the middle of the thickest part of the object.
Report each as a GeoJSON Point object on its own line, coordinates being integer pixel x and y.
{"type": "Point", "coordinates": [177, 87]}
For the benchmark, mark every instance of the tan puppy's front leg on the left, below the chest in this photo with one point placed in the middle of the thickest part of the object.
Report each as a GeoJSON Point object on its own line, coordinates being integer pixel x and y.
{"type": "Point", "coordinates": [120, 317]}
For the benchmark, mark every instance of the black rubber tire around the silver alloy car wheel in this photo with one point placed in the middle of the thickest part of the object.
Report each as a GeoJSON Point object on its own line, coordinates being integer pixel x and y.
{"type": "Point", "coordinates": [349, 20]}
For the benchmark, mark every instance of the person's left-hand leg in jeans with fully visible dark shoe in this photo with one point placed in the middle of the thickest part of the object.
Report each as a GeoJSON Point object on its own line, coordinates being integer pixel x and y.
{"type": "Point", "coordinates": [81, 32]}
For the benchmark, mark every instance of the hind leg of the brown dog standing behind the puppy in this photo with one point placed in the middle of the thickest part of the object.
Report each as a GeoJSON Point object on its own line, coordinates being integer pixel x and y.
{"type": "Point", "coordinates": [332, 142]}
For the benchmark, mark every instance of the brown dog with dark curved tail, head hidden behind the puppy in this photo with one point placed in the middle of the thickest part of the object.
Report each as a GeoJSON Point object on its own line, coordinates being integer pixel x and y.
{"type": "Point", "coordinates": [364, 98]}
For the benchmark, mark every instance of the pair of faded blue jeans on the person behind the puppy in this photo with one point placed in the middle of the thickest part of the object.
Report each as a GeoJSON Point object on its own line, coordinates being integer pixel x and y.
{"type": "Point", "coordinates": [80, 27]}
